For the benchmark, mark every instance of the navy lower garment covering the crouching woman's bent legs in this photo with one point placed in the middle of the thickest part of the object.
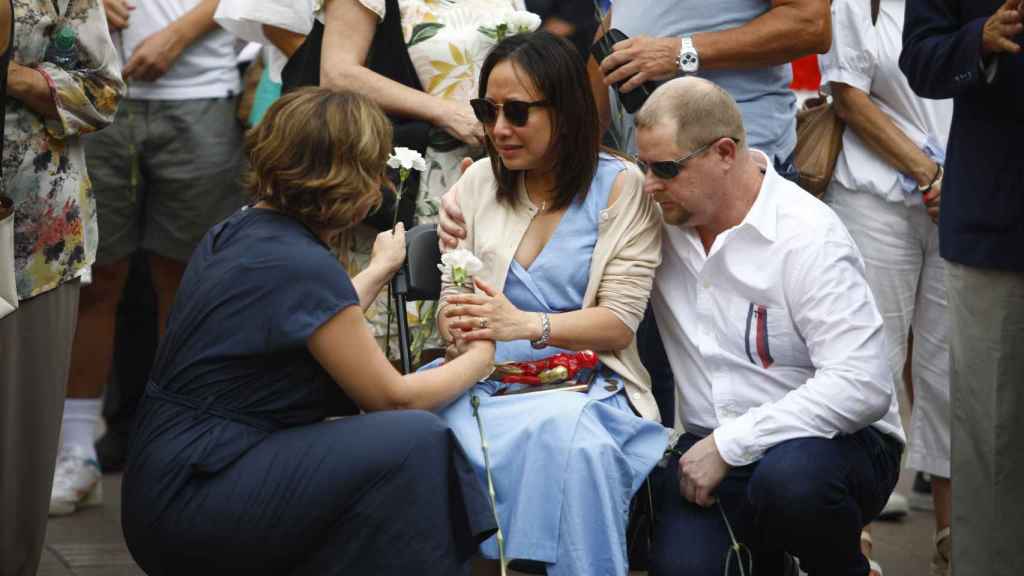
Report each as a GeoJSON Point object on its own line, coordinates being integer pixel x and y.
{"type": "Point", "coordinates": [382, 493]}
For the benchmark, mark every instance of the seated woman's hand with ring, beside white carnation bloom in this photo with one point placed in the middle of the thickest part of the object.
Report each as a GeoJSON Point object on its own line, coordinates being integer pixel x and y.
{"type": "Point", "coordinates": [486, 317]}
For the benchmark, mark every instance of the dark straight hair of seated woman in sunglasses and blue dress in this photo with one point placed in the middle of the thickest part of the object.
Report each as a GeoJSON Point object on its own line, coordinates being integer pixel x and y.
{"type": "Point", "coordinates": [557, 69]}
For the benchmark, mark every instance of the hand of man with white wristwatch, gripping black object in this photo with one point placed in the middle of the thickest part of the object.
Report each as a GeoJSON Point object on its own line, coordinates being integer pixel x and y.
{"type": "Point", "coordinates": [638, 60]}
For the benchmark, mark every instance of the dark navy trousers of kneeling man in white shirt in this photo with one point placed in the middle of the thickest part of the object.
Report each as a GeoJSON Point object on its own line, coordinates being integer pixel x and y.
{"type": "Point", "coordinates": [809, 498]}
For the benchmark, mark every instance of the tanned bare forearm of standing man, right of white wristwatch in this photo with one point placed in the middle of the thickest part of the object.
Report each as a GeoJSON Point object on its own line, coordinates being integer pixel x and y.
{"type": "Point", "coordinates": [780, 36]}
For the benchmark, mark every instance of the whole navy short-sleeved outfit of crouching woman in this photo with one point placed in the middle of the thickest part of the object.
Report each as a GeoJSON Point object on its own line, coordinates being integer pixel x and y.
{"type": "Point", "coordinates": [234, 469]}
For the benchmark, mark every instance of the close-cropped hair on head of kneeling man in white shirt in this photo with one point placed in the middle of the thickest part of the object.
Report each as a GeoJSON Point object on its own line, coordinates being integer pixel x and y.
{"type": "Point", "coordinates": [701, 111]}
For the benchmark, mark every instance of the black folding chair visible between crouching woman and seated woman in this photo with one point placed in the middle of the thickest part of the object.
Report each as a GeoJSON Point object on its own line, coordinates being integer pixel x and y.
{"type": "Point", "coordinates": [418, 279]}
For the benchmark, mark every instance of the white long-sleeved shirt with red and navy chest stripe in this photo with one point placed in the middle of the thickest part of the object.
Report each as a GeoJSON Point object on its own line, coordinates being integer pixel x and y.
{"type": "Point", "coordinates": [774, 335]}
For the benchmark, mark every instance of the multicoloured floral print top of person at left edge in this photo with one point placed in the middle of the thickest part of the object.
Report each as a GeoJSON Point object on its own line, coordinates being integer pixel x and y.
{"type": "Point", "coordinates": [44, 160]}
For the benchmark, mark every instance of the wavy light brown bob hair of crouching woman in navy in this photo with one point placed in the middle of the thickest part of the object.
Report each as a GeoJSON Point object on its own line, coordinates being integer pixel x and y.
{"type": "Point", "coordinates": [320, 156]}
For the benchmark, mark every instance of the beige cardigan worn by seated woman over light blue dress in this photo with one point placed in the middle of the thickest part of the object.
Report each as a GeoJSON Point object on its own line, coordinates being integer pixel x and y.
{"type": "Point", "coordinates": [622, 270]}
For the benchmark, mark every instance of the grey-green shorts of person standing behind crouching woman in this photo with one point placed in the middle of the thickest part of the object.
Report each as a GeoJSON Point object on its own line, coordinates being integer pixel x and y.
{"type": "Point", "coordinates": [187, 180]}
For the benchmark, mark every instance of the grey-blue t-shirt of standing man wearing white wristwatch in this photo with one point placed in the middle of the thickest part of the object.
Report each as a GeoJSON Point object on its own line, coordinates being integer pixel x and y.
{"type": "Point", "coordinates": [765, 100]}
